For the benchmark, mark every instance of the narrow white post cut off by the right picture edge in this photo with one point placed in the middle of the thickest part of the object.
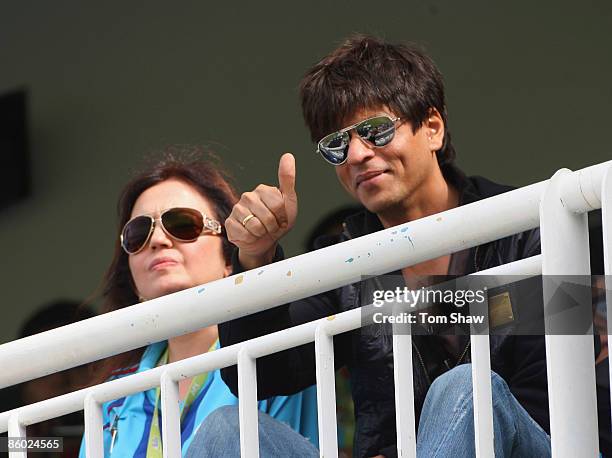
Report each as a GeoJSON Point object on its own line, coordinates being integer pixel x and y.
{"type": "Point", "coordinates": [606, 223]}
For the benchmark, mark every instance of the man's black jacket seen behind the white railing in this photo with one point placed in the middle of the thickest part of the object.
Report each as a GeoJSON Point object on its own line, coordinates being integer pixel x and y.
{"type": "Point", "coordinates": [520, 360]}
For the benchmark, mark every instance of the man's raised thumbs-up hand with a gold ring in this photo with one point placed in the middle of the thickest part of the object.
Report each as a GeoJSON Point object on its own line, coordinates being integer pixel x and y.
{"type": "Point", "coordinates": [263, 216]}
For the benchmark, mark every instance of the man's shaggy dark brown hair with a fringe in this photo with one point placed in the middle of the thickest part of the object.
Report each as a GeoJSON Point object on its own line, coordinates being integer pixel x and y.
{"type": "Point", "coordinates": [367, 72]}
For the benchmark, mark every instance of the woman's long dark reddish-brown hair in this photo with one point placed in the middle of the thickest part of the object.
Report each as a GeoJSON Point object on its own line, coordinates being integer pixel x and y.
{"type": "Point", "coordinates": [192, 165]}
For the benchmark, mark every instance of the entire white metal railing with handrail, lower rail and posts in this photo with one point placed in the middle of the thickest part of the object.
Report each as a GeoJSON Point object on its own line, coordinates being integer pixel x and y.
{"type": "Point", "coordinates": [558, 206]}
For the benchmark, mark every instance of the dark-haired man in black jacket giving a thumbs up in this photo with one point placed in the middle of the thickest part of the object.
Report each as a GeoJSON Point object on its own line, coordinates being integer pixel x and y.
{"type": "Point", "coordinates": [378, 113]}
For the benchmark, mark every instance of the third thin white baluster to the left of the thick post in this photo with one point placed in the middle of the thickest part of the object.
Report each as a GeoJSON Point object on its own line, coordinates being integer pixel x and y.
{"type": "Point", "coordinates": [326, 393]}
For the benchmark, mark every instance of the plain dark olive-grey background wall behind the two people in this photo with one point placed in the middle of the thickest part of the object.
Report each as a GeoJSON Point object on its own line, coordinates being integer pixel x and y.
{"type": "Point", "coordinates": [528, 86]}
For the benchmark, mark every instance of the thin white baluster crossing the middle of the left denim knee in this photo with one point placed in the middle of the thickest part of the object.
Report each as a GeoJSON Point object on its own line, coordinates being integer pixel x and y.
{"type": "Point", "coordinates": [247, 405]}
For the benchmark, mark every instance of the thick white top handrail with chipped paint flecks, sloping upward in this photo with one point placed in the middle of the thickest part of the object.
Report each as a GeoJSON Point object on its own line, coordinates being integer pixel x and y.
{"type": "Point", "coordinates": [272, 285]}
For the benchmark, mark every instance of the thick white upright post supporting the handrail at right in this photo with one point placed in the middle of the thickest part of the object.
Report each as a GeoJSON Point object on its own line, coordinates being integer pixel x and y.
{"type": "Point", "coordinates": [569, 358]}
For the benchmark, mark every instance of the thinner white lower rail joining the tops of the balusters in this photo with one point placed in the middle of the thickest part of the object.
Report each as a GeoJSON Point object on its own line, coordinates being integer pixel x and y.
{"type": "Point", "coordinates": [223, 357]}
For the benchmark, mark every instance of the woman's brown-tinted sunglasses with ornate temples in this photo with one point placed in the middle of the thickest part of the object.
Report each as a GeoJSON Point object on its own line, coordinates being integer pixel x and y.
{"type": "Point", "coordinates": [183, 224]}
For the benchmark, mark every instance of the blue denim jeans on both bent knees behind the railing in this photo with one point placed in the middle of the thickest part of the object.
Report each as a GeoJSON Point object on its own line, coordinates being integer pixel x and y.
{"type": "Point", "coordinates": [446, 427]}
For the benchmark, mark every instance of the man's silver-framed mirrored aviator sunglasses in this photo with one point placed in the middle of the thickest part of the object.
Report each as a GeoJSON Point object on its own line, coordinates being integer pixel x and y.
{"type": "Point", "coordinates": [377, 131]}
